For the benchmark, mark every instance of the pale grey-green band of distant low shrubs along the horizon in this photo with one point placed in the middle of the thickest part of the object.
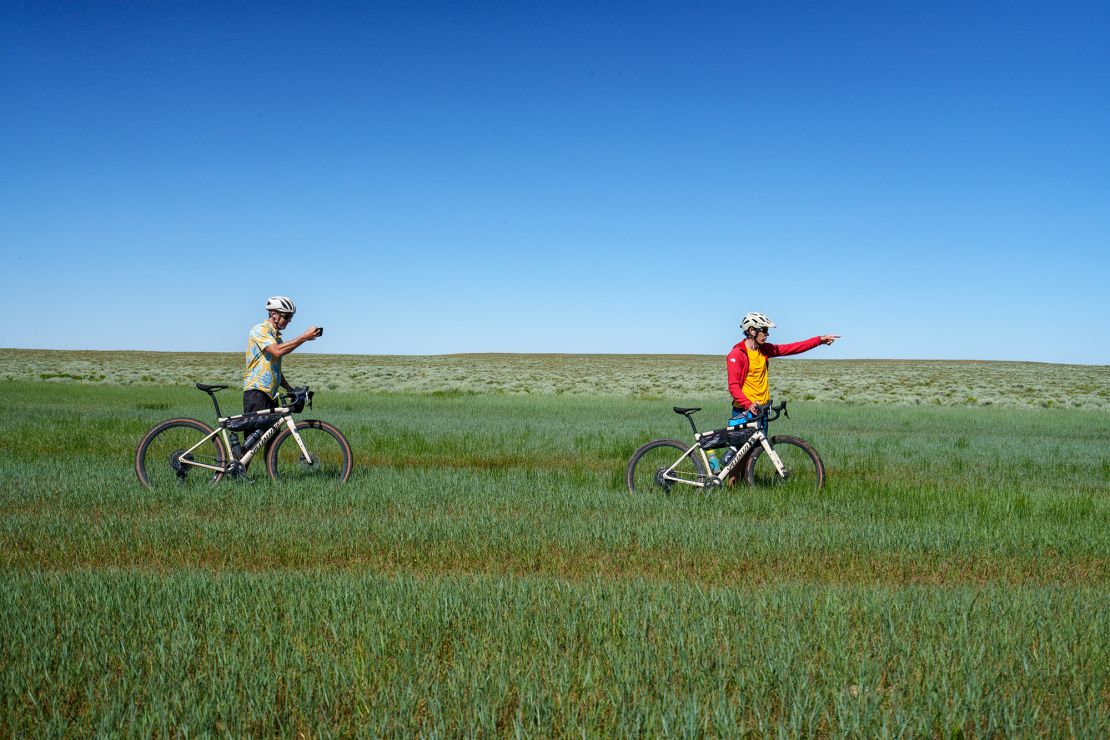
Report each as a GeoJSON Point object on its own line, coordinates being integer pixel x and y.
{"type": "Point", "coordinates": [909, 383]}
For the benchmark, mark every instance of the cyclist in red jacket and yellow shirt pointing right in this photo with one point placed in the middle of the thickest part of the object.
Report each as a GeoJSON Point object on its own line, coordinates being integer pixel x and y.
{"type": "Point", "coordinates": [749, 381]}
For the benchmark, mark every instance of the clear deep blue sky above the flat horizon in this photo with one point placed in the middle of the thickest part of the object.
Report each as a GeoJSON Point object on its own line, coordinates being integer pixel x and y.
{"type": "Point", "coordinates": [930, 180]}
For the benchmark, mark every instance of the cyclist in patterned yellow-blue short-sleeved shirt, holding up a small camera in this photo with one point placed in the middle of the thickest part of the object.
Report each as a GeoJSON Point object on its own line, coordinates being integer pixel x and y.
{"type": "Point", "coordinates": [265, 350]}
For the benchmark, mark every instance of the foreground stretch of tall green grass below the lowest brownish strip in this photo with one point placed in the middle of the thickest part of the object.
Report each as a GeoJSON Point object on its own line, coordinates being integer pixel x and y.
{"type": "Point", "coordinates": [285, 654]}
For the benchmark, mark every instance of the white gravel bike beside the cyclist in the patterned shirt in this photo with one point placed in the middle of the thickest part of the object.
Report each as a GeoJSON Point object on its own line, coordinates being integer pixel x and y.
{"type": "Point", "coordinates": [185, 452]}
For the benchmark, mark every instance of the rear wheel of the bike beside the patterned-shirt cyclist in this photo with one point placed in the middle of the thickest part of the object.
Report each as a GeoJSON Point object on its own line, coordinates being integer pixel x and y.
{"type": "Point", "coordinates": [155, 464]}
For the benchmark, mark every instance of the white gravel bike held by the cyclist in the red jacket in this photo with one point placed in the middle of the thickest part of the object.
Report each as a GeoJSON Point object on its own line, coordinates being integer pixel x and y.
{"type": "Point", "coordinates": [751, 453]}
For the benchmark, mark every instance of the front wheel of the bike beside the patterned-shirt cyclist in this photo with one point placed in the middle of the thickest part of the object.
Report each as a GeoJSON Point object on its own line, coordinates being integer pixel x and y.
{"type": "Point", "coordinates": [329, 454]}
